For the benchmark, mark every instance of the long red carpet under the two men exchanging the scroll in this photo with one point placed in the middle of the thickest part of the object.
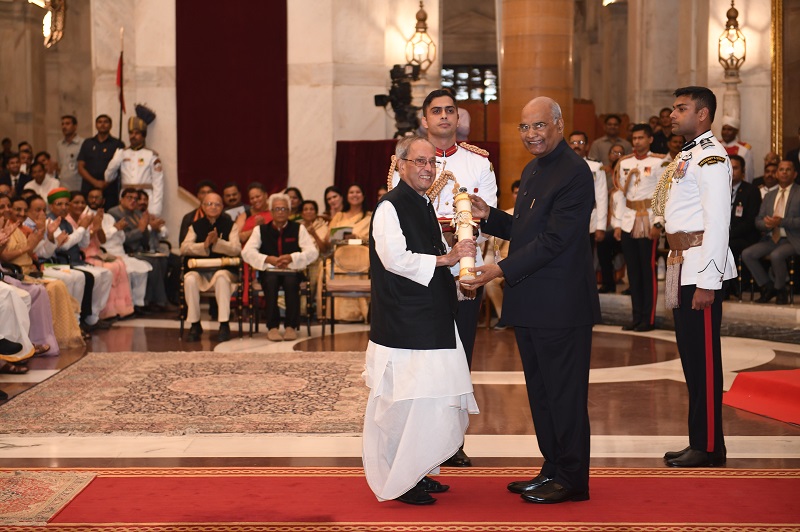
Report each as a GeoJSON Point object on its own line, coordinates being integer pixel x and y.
{"type": "Point", "coordinates": [338, 499]}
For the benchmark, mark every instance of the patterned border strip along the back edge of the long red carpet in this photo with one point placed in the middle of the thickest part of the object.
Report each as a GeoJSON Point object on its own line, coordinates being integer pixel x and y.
{"type": "Point", "coordinates": [450, 472]}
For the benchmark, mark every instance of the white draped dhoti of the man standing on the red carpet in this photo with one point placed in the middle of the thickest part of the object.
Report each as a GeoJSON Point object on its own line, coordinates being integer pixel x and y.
{"type": "Point", "coordinates": [417, 414]}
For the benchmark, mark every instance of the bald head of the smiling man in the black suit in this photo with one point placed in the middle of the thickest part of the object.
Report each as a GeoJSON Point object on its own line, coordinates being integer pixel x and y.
{"type": "Point", "coordinates": [541, 126]}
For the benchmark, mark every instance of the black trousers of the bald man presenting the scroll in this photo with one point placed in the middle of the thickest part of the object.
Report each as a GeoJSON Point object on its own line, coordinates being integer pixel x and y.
{"type": "Point", "coordinates": [556, 366]}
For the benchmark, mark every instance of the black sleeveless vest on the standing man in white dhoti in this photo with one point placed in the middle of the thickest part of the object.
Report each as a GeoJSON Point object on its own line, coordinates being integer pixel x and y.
{"type": "Point", "coordinates": [405, 314]}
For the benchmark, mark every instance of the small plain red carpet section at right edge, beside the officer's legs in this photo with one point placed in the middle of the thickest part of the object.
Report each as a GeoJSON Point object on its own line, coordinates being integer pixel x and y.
{"type": "Point", "coordinates": [774, 394]}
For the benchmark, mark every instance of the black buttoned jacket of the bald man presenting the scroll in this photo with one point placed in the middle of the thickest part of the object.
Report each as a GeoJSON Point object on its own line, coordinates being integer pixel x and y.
{"type": "Point", "coordinates": [549, 273]}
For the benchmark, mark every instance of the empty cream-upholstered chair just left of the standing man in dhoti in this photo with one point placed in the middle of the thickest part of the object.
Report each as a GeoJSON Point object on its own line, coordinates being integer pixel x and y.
{"type": "Point", "coordinates": [345, 273]}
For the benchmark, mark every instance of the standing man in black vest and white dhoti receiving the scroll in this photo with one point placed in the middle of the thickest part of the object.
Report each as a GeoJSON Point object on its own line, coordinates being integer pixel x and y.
{"type": "Point", "coordinates": [416, 368]}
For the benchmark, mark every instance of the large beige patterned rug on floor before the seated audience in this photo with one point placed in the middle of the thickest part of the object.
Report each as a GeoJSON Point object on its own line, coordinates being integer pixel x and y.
{"type": "Point", "coordinates": [201, 392]}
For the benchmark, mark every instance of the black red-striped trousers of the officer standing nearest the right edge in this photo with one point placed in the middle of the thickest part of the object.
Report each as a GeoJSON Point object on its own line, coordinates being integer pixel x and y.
{"type": "Point", "coordinates": [698, 335]}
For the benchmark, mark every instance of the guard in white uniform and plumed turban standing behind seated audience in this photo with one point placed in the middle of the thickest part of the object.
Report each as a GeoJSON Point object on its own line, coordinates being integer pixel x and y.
{"type": "Point", "coordinates": [139, 167]}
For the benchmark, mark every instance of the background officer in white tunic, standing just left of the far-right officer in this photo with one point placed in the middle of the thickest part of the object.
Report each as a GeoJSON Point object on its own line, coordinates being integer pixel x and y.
{"type": "Point", "coordinates": [633, 226]}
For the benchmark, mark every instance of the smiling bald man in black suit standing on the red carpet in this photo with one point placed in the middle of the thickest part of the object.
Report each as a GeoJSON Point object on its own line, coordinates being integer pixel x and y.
{"type": "Point", "coordinates": [550, 298]}
